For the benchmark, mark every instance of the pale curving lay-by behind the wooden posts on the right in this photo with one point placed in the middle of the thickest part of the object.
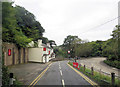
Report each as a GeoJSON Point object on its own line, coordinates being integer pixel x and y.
{"type": "Point", "coordinates": [97, 63]}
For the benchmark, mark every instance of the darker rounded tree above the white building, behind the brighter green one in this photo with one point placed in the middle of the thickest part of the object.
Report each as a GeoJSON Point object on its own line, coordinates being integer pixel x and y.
{"type": "Point", "coordinates": [28, 24]}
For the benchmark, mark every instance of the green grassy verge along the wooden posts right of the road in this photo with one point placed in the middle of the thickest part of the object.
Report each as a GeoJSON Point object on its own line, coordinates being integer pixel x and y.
{"type": "Point", "coordinates": [101, 79]}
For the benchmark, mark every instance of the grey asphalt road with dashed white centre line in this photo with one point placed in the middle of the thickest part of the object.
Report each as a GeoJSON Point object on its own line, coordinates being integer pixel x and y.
{"type": "Point", "coordinates": [59, 73]}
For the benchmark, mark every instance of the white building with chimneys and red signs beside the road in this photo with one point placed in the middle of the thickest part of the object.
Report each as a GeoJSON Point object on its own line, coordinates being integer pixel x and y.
{"type": "Point", "coordinates": [42, 53]}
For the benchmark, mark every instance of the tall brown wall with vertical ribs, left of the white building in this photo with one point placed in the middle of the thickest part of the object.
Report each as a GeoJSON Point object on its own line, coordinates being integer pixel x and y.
{"type": "Point", "coordinates": [18, 55]}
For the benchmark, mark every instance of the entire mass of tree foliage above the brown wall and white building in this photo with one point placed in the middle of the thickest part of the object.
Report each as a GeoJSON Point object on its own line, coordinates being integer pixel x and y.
{"type": "Point", "coordinates": [20, 26]}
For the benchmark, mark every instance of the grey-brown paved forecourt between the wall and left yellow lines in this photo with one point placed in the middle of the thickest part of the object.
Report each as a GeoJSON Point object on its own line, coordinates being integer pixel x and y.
{"type": "Point", "coordinates": [25, 73]}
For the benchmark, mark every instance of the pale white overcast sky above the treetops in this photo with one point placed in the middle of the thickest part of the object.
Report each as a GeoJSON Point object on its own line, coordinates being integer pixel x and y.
{"type": "Point", "coordinates": [61, 18]}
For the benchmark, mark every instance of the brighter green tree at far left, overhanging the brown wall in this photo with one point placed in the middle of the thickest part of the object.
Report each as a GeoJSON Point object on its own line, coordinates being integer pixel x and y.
{"type": "Point", "coordinates": [11, 32]}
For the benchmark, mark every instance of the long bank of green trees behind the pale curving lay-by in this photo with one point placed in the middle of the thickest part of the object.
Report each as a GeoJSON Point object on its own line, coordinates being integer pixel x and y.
{"type": "Point", "coordinates": [84, 48]}
